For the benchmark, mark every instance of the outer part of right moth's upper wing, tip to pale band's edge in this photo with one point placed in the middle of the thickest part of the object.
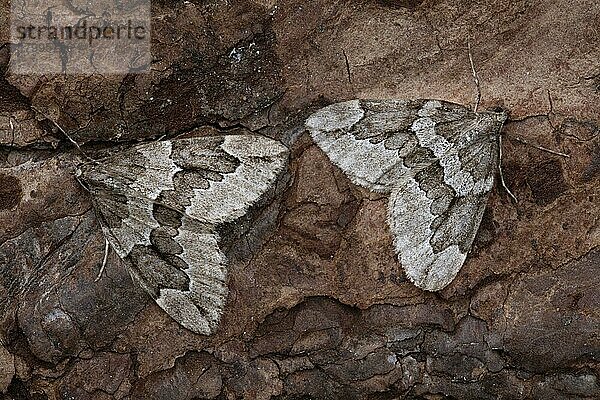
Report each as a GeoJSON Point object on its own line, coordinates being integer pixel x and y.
{"type": "Point", "coordinates": [368, 140]}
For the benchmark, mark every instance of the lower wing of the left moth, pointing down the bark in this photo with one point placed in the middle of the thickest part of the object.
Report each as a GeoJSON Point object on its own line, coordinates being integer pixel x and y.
{"type": "Point", "coordinates": [181, 267]}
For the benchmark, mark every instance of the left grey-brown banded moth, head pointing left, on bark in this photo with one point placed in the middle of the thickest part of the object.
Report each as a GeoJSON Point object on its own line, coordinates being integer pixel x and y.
{"type": "Point", "coordinates": [161, 205]}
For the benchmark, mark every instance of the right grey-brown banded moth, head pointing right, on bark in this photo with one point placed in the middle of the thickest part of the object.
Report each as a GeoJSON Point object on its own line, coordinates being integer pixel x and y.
{"type": "Point", "coordinates": [436, 160]}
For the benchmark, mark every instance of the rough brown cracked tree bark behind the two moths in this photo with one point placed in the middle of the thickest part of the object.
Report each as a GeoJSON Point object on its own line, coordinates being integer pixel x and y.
{"type": "Point", "coordinates": [320, 309]}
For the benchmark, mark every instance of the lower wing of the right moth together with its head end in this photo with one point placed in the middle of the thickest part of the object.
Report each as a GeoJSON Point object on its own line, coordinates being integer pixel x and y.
{"type": "Point", "coordinates": [435, 215]}
